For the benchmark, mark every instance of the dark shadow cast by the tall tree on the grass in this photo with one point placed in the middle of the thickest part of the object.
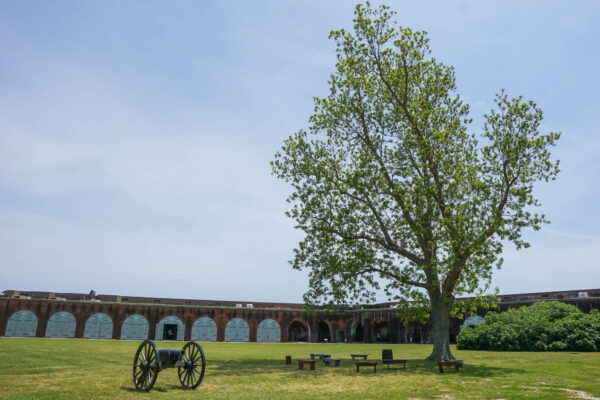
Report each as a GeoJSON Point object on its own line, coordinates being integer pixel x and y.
{"type": "Point", "coordinates": [413, 367]}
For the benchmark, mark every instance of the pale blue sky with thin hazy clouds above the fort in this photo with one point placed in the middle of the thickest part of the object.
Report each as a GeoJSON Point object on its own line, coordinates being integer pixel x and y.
{"type": "Point", "coordinates": [135, 137]}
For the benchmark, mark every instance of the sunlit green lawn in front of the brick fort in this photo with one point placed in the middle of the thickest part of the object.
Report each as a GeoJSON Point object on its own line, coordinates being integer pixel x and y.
{"type": "Point", "coordinates": [82, 369]}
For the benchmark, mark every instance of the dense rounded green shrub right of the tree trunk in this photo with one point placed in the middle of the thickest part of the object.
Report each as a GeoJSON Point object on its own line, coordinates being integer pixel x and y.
{"type": "Point", "coordinates": [544, 326]}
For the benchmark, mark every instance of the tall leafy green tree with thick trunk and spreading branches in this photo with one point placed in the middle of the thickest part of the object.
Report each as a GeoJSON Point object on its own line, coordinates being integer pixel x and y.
{"type": "Point", "coordinates": [393, 191]}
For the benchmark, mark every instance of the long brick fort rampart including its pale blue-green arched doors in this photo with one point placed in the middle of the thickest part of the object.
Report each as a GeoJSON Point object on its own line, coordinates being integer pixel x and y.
{"type": "Point", "coordinates": [45, 314]}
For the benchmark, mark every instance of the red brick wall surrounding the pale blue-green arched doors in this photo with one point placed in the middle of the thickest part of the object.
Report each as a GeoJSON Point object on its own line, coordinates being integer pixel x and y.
{"type": "Point", "coordinates": [284, 314]}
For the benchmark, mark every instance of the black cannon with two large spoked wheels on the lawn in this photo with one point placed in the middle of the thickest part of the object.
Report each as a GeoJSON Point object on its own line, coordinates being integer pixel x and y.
{"type": "Point", "coordinates": [149, 361]}
